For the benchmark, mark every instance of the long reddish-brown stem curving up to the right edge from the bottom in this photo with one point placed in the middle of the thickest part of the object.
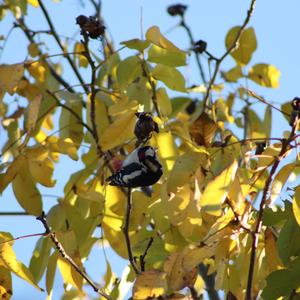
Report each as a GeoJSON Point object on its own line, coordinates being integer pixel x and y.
{"type": "Point", "coordinates": [263, 203]}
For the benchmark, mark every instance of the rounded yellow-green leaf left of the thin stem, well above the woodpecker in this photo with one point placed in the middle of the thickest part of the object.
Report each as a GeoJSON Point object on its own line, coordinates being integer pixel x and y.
{"type": "Point", "coordinates": [128, 70]}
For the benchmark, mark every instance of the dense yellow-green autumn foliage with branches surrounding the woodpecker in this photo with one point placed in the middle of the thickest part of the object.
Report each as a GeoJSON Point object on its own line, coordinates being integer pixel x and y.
{"type": "Point", "coordinates": [215, 213]}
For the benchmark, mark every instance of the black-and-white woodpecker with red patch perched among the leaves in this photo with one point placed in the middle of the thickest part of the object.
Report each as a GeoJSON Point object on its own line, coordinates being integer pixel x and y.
{"type": "Point", "coordinates": [140, 168]}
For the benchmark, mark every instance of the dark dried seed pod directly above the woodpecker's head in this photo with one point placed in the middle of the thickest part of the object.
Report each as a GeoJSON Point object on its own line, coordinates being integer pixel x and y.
{"type": "Point", "coordinates": [144, 126]}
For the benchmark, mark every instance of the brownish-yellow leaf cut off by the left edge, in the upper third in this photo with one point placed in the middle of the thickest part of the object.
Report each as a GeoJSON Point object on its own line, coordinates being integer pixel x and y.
{"type": "Point", "coordinates": [10, 76]}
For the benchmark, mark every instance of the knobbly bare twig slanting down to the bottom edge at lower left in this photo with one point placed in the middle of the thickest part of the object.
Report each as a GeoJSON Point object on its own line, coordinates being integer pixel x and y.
{"type": "Point", "coordinates": [62, 252]}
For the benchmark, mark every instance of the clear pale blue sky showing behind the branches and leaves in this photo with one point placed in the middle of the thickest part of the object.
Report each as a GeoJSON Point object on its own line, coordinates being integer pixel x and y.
{"type": "Point", "coordinates": [277, 28]}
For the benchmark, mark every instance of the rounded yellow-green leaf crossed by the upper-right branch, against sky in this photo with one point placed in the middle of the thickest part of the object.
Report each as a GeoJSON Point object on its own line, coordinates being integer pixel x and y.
{"type": "Point", "coordinates": [246, 46]}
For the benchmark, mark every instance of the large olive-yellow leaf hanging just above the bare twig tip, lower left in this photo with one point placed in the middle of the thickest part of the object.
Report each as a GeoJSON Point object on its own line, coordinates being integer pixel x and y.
{"type": "Point", "coordinates": [26, 192]}
